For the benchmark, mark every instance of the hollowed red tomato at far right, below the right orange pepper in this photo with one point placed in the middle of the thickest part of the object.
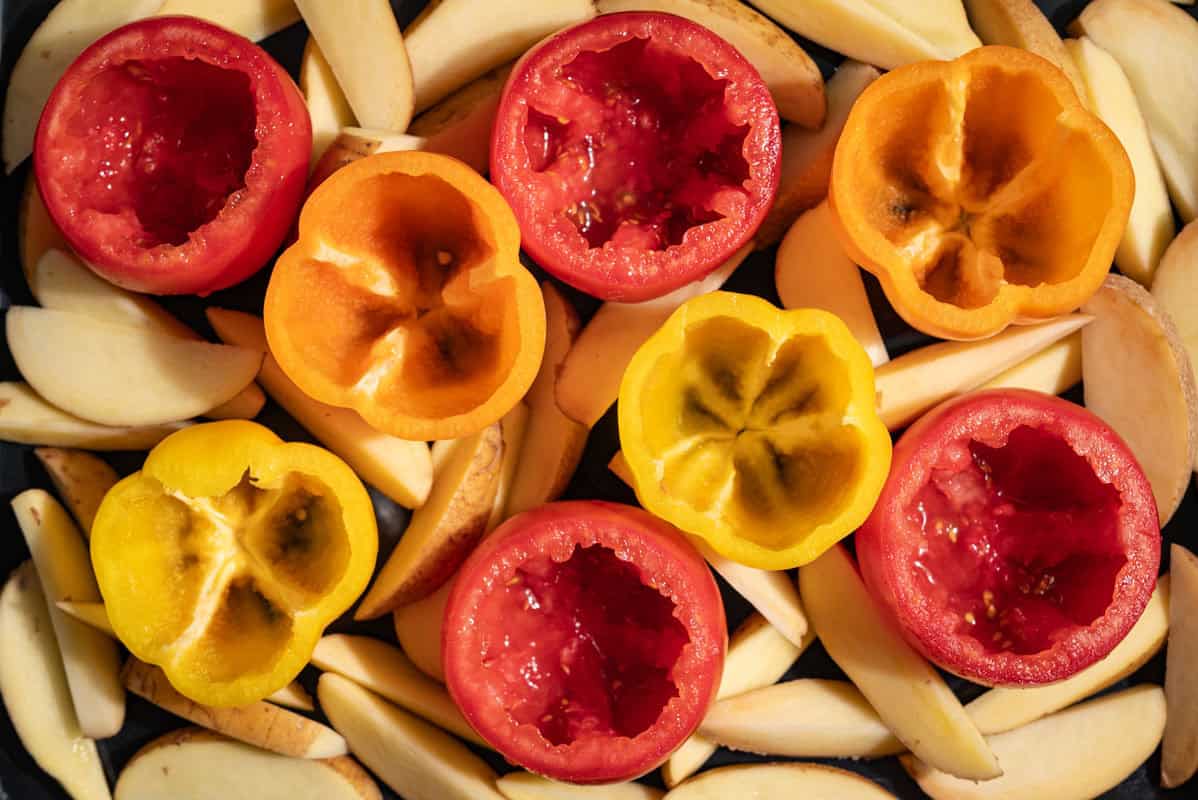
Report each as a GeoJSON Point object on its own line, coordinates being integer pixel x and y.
{"type": "Point", "coordinates": [1017, 541]}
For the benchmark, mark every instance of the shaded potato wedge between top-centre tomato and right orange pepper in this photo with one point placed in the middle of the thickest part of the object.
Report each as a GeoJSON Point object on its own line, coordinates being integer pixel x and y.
{"type": "Point", "coordinates": [807, 155]}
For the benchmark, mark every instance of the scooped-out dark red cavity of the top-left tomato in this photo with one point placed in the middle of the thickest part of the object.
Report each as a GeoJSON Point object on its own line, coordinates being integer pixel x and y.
{"type": "Point", "coordinates": [171, 140]}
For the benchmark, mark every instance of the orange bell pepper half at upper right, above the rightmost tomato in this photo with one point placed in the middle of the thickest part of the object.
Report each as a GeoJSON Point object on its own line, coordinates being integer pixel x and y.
{"type": "Point", "coordinates": [981, 192]}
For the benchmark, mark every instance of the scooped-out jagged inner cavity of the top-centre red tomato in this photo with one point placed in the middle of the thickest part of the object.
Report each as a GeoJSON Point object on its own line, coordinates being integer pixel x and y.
{"type": "Point", "coordinates": [674, 130]}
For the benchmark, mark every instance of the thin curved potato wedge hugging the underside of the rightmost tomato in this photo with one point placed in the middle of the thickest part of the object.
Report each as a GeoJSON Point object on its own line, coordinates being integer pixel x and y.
{"type": "Point", "coordinates": [1005, 710]}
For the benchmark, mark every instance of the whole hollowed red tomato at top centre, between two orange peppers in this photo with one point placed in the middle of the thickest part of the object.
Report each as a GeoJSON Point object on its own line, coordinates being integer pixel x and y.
{"type": "Point", "coordinates": [639, 151]}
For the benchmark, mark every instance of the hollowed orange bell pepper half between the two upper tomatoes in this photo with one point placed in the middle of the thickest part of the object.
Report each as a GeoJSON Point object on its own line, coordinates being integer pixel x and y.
{"type": "Point", "coordinates": [404, 299]}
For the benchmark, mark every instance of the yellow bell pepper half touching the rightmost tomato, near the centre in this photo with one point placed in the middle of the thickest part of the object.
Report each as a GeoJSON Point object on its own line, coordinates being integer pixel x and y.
{"type": "Point", "coordinates": [755, 429]}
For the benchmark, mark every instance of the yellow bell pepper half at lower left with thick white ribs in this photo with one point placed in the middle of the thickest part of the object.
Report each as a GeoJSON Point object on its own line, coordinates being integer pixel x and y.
{"type": "Point", "coordinates": [225, 559]}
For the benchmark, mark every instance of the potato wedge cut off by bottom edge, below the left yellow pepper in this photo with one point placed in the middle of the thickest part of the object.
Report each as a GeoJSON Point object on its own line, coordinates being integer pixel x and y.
{"type": "Point", "coordinates": [197, 765]}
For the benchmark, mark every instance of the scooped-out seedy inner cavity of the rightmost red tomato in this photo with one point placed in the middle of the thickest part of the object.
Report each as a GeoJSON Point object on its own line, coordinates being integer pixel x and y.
{"type": "Point", "coordinates": [983, 550]}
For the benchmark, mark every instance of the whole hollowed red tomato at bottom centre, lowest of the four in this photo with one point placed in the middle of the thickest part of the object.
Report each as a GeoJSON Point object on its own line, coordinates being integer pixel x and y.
{"type": "Point", "coordinates": [585, 641]}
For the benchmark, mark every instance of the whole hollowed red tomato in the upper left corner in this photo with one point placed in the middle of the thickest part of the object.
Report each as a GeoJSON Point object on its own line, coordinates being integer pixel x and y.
{"type": "Point", "coordinates": [250, 222]}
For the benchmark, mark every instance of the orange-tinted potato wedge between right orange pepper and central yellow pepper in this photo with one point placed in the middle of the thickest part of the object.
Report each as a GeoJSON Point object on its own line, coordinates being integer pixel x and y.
{"type": "Point", "coordinates": [813, 271]}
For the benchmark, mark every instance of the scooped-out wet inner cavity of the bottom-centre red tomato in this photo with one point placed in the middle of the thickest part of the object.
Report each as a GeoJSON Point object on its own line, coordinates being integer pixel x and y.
{"type": "Point", "coordinates": [615, 641]}
